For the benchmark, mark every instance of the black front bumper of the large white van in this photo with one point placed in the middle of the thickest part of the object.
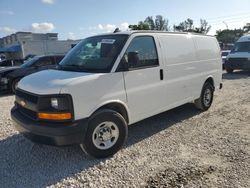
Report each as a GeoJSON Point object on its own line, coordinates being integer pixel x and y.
{"type": "Point", "coordinates": [50, 133]}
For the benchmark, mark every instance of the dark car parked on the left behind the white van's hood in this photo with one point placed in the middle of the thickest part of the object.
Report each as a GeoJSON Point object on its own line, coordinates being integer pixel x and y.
{"type": "Point", "coordinates": [10, 76]}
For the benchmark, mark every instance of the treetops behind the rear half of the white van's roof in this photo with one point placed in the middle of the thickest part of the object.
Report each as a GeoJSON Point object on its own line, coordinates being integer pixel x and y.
{"type": "Point", "coordinates": [188, 26]}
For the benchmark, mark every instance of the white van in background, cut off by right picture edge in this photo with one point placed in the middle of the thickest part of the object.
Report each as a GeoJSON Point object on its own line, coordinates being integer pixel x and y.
{"type": "Point", "coordinates": [239, 57]}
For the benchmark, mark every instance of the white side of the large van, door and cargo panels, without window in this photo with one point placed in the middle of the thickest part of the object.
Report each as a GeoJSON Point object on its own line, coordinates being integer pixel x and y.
{"type": "Point", "coordinates": [187, 63]}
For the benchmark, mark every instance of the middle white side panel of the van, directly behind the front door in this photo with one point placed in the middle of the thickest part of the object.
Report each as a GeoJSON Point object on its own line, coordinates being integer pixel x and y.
{"type": "Point", "coordinates": [179, 58]}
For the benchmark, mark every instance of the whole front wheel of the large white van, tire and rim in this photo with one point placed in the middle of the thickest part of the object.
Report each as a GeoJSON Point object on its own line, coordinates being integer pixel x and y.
{"type": "Point", "coordinates": [106, 134]}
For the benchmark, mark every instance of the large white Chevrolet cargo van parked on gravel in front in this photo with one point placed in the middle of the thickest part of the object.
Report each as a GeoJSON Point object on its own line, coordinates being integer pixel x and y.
{"type": "Point", "coordinates": [110, 81]}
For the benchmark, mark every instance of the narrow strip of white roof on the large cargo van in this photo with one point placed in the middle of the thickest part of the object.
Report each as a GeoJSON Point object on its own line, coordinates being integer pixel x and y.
{"type": "Point", "coordinates": [152, 31]}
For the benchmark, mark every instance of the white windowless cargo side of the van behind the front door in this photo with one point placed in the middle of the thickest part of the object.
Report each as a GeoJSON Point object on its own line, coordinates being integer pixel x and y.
{"type": "Point", "coordinates": [189, 60]}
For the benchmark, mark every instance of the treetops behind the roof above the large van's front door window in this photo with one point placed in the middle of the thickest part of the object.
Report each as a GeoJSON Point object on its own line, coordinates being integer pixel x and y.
{"type": "Point", "coordinates": [159, 23]}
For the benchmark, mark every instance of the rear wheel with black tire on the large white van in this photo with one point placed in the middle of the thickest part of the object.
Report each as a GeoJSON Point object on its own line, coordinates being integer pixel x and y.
{"type": "Point", "coordinates": [206, 98]}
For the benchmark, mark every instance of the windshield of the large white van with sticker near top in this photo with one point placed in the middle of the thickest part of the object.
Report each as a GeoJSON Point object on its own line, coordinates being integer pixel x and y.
{"type": "Point", "coordinates": [94, 54]}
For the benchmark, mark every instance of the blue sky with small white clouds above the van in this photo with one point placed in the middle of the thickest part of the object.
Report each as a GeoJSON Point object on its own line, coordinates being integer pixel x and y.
{"type": "Point", "coordinates": [77, 19]}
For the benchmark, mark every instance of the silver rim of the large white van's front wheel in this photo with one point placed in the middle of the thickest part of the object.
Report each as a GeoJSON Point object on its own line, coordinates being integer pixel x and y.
{"type": "Point", "coordinates": [105, 135]}
